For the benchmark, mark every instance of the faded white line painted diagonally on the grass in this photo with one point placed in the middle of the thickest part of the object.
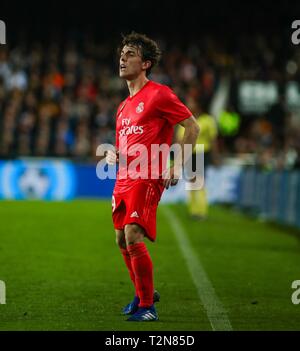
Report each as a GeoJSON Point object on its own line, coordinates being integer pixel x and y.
{"type": "Point", "coordinates": [214, 309]}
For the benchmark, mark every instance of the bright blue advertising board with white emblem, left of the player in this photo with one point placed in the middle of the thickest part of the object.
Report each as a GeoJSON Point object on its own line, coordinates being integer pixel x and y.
{"type": "Point", "coordinates": [54, 180]}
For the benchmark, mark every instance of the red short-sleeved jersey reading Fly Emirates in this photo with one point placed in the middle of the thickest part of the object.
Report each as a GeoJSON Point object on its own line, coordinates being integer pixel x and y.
{"type": "Point", "coordinates": [145, 119]}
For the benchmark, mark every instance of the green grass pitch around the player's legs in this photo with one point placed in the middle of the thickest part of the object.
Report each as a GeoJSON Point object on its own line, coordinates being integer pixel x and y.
{"type": "Point", "coordinates": [63, 270]}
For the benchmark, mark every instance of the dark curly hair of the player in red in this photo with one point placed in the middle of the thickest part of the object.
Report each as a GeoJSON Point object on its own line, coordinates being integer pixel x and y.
{"type": "Point", "coordinates": [148, 48]}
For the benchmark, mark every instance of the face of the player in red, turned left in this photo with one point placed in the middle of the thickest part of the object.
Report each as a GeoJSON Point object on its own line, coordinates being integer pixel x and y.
{"type": "Point", "coordinates": [131, 63]}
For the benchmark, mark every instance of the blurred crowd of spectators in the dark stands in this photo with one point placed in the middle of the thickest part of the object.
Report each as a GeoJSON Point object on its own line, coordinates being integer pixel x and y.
{"type": "Point", "coordinates": [58, 98]}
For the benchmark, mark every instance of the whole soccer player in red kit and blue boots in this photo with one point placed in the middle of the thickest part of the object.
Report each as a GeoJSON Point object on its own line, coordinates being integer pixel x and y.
{"type": "Point", "coordinates": [146, 117]}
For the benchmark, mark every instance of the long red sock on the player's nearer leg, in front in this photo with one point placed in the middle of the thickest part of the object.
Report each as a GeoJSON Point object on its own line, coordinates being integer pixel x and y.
{"type": "Point", "coordinates": [143, 271]}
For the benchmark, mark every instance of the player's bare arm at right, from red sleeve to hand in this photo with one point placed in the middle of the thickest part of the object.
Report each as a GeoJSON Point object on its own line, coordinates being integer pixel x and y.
{"type": "Point", "coordinates": [191, 132]}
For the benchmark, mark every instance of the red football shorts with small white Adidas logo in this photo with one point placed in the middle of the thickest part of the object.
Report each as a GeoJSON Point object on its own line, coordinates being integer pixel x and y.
{"type": "Point", "coordinates": [137, 205]}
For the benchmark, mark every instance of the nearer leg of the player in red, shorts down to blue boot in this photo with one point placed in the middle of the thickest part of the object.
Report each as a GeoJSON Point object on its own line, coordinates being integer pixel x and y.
{"type": "Point", "coordinates": [140, 221]}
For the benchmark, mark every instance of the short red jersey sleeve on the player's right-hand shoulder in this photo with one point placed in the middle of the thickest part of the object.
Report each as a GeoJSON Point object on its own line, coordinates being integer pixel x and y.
{"type": "Point", "coordinates": [170, 107]}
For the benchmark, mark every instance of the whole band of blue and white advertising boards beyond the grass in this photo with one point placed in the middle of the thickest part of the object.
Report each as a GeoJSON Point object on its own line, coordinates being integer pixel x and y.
{"type": "Point", "coordinates": [271, 195]}
